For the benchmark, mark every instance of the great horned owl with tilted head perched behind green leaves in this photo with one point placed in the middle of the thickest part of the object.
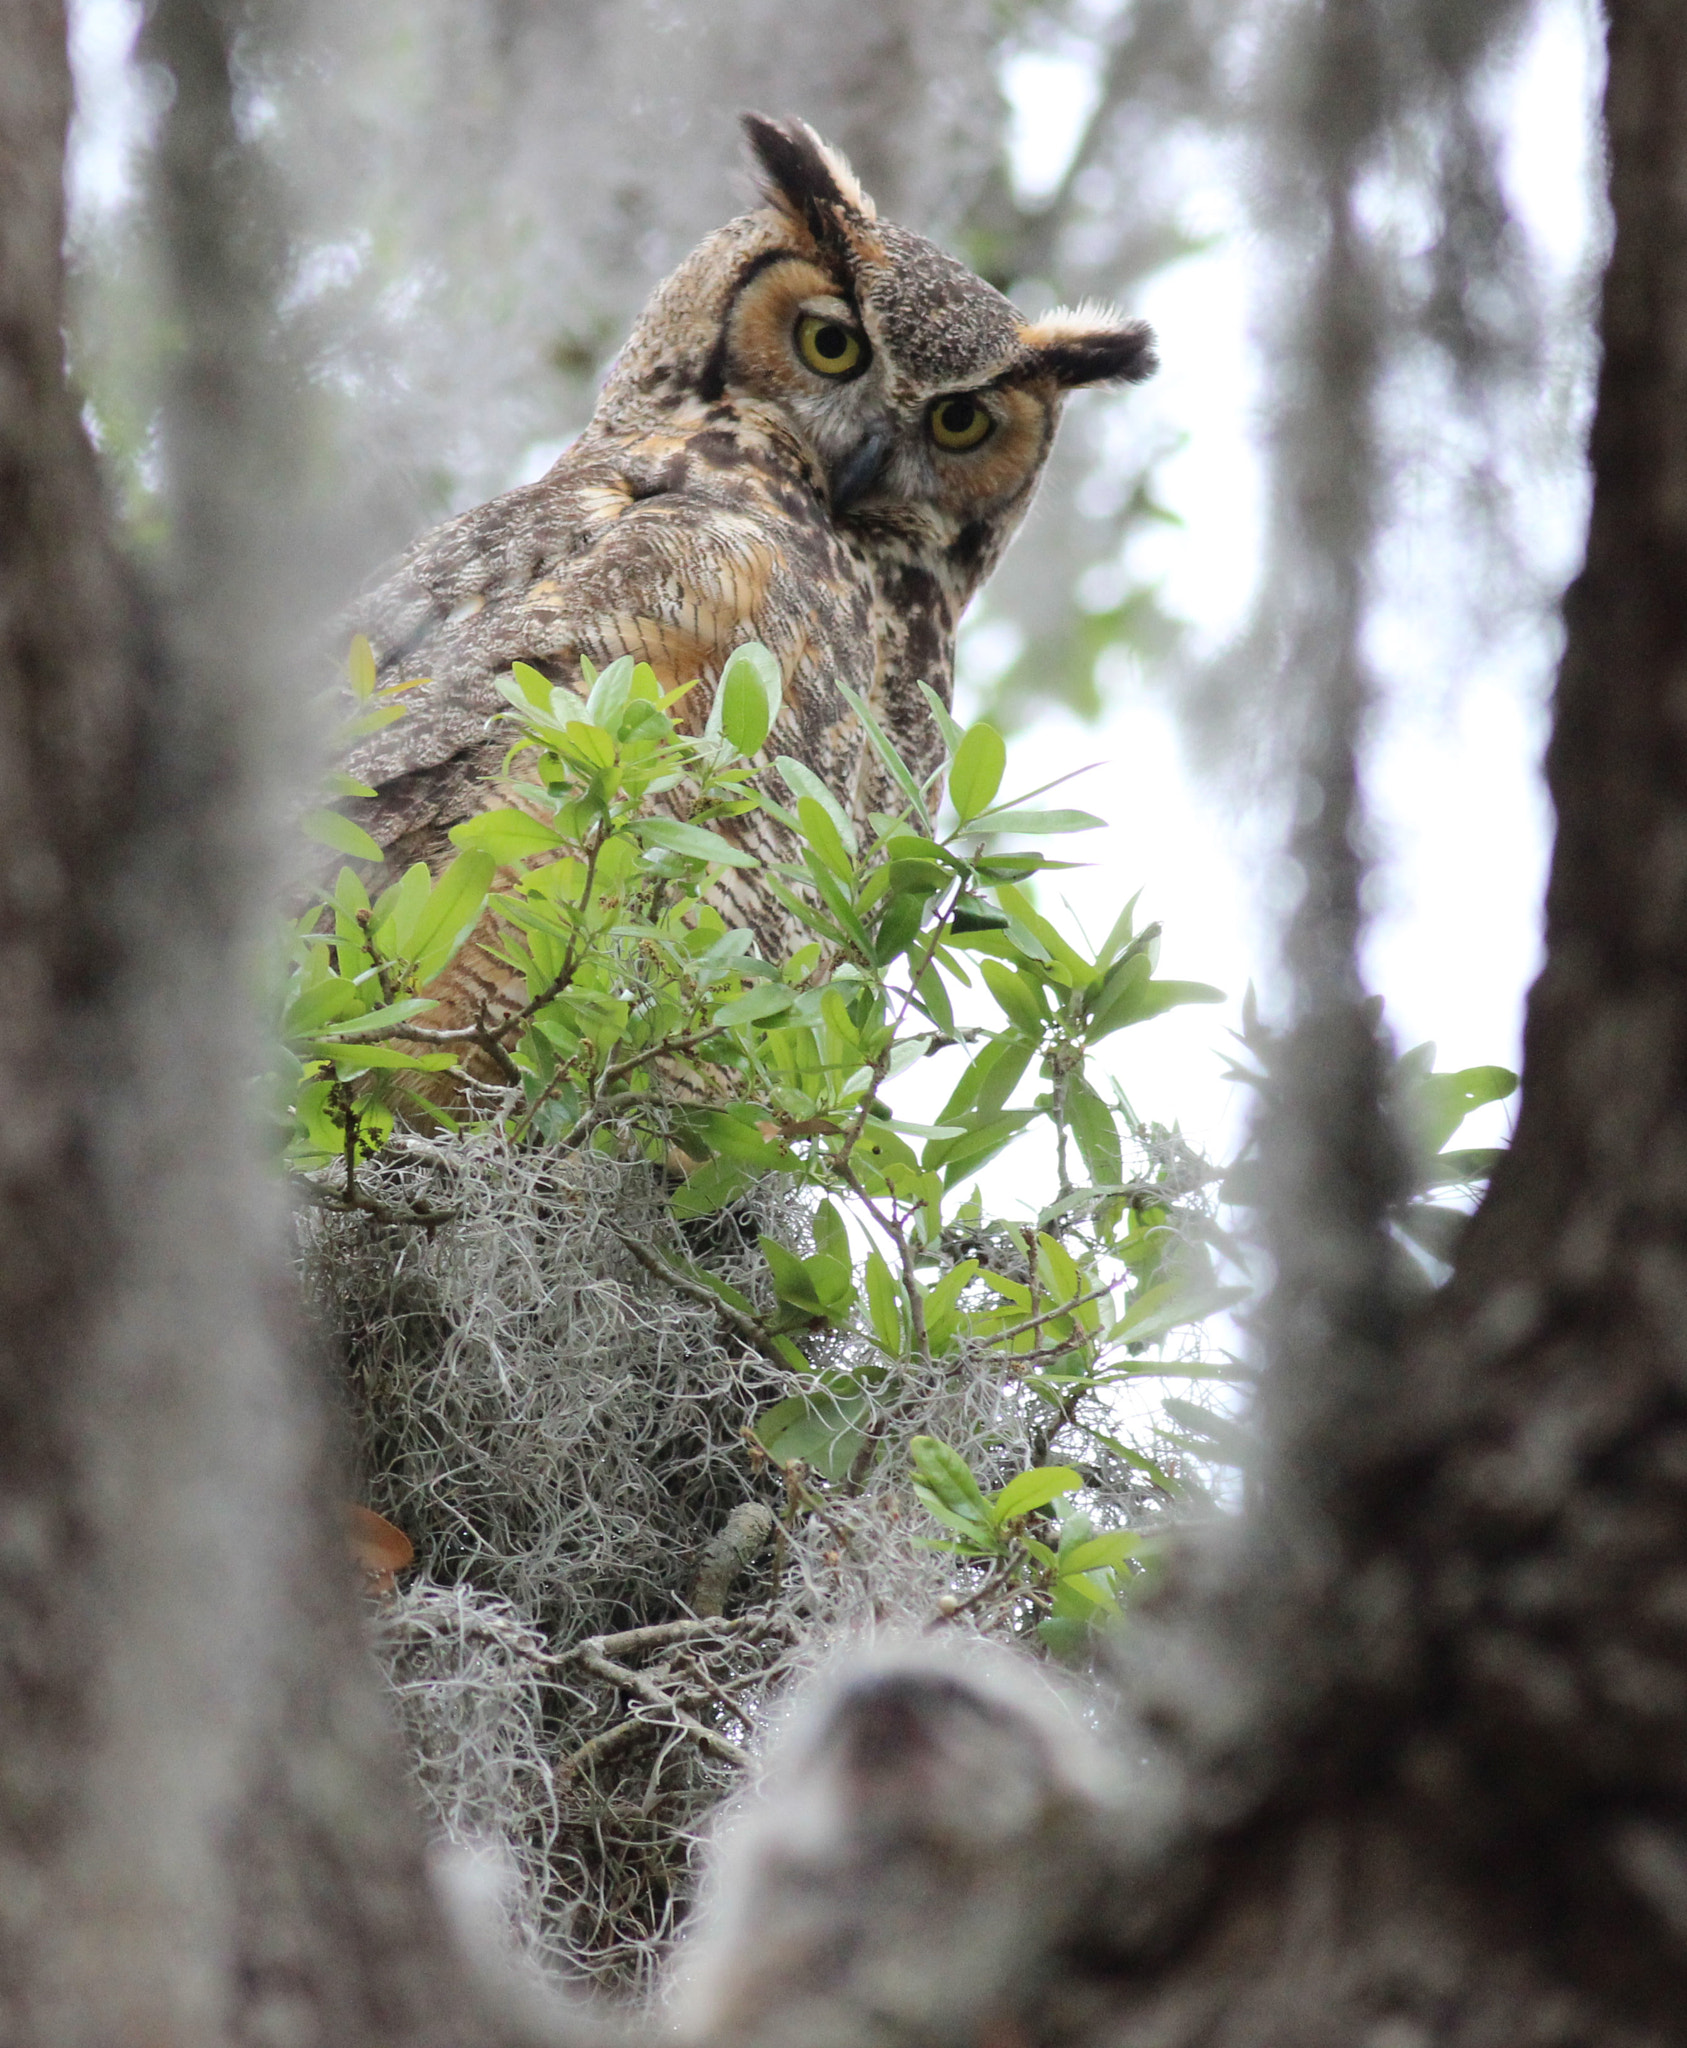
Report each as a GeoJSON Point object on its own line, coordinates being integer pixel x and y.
{"type": "Point", "coordinates": [820, 435]}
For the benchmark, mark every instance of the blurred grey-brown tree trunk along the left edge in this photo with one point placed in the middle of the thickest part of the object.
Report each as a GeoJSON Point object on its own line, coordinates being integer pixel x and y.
{"type": "Point", "coordinates": [204, 1830]}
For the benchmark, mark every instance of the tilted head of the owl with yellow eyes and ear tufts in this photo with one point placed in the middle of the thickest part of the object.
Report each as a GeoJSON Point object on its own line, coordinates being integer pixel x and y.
{"type": "Point", "coordinates": [924, 400]}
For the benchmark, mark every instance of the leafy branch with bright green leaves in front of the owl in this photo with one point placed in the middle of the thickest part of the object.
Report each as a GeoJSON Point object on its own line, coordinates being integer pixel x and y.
{"type": "Point", "coordinates": [644, 1023]}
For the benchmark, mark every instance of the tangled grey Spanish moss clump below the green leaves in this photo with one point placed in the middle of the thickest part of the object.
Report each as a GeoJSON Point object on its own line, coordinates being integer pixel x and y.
{"type": "Point", "coordinates": [562, 1435]}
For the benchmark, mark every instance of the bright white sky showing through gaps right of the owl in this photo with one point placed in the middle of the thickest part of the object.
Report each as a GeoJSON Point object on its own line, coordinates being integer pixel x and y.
{"type": "Point", "coordinates": [1457, 769]}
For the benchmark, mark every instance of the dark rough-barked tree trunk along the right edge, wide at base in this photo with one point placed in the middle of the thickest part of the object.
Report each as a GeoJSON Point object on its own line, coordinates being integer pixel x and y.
{"type": "Point", "coordinates": [1446, 1795]}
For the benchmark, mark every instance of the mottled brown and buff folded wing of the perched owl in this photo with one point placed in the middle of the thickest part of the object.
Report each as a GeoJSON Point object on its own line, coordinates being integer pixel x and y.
{"type": "Point", "coordinates": [664, 548]}
